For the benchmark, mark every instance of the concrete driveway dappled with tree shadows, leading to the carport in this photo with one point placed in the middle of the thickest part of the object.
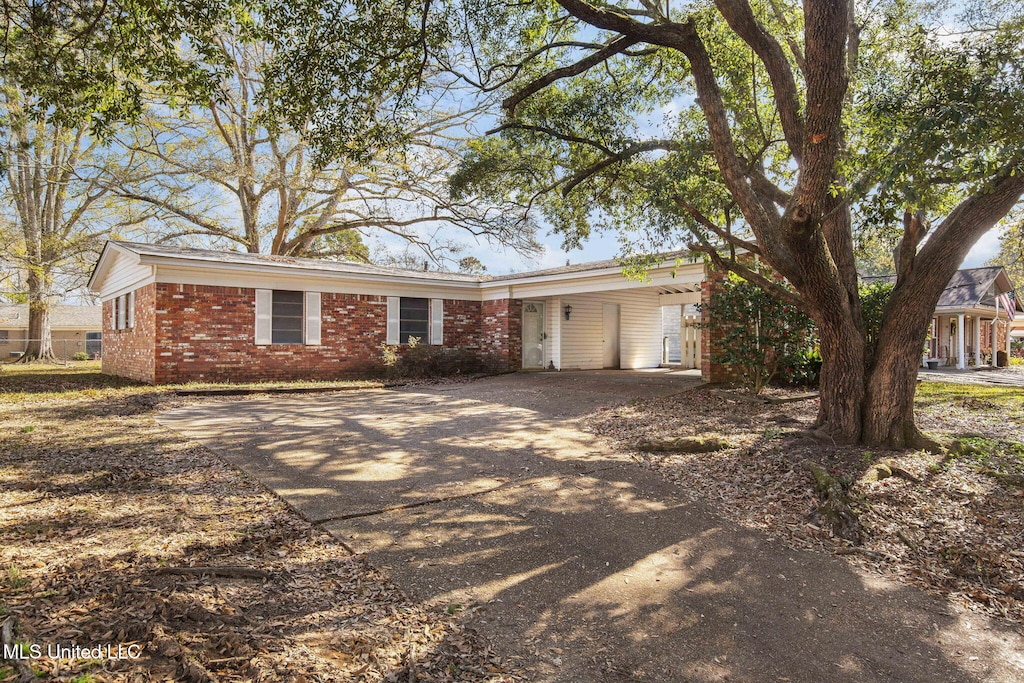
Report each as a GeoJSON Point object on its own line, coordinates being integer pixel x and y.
{"type": "Point", "coordinates": [486, 496]}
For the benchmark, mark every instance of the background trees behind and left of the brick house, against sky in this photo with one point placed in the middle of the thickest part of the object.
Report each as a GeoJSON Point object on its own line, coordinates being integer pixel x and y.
{"type": "Point", "coordinates": [183, 142]}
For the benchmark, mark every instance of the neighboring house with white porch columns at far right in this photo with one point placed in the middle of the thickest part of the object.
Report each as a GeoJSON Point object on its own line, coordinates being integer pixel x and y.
{"type": "Point", "coordinates": [975, 314]}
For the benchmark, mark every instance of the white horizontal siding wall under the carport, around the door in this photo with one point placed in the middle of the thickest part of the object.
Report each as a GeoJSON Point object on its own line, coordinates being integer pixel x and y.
{"type": "Point", "coordinates": [581, 337]}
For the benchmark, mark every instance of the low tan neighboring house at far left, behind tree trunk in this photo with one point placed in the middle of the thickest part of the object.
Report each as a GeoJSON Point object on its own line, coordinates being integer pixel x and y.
{"type": "Point", "coordinates": [73, 330]}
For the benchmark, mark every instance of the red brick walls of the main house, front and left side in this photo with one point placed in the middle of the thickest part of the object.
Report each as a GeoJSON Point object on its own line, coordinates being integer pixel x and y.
{"type": "Point", "coordinates": [203, 333]}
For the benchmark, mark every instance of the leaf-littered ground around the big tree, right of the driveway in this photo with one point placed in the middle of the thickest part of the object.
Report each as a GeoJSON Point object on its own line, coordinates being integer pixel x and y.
{"type": "Point", "coordinates": [957, 532]}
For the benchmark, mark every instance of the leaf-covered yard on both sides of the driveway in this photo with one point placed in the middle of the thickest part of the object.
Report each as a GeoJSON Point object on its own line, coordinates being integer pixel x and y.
{"type": "Point", "coordinates": [114, 530]}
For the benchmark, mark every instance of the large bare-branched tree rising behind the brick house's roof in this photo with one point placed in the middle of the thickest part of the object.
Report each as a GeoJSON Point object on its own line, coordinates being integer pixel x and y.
{"type": "Point", "coordinates": [233, 172]}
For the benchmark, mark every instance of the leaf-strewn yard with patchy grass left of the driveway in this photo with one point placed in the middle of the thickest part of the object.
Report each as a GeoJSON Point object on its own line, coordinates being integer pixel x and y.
{"type": "Point", "coordinates": [103, 516]}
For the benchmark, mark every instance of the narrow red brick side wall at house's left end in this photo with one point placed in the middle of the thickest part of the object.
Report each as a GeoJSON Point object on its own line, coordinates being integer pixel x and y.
{"type": "Point", "coordinates": [130, 353]}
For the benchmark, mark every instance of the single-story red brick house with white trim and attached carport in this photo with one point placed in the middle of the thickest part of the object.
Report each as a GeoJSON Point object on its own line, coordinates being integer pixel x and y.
{"type": "Point", "coordinates": [174, 315]}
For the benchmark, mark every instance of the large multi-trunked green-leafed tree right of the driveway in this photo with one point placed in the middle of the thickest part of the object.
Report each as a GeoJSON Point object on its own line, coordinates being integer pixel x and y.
{"type": "Point", "coordinates": [798, 125]}
